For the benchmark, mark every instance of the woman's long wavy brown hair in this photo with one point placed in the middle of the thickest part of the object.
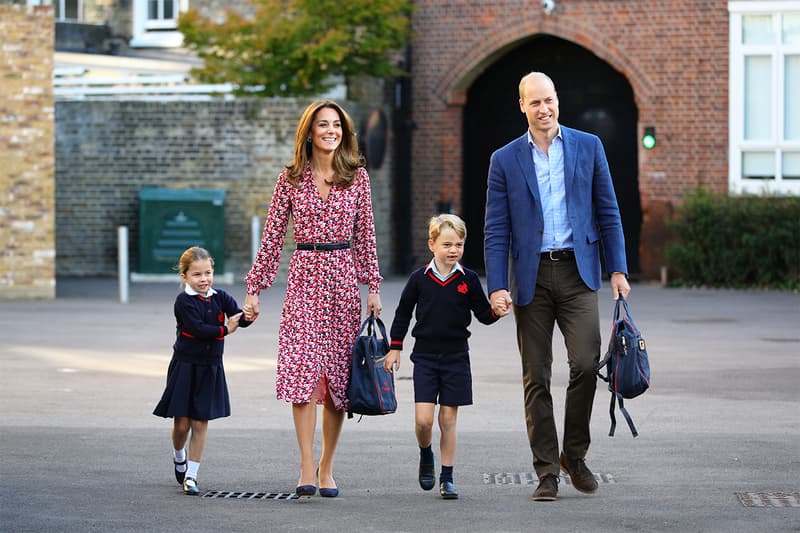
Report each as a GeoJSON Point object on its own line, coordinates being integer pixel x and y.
{"type": "Point", "coordinates": [346, 158]}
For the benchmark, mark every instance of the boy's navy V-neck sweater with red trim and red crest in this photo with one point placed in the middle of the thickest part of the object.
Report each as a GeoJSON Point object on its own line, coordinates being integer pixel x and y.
{"type": "Point", "coordinates": [443, 311]}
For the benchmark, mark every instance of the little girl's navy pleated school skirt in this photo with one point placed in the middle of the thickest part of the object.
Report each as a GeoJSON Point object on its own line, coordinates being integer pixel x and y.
{"type": "Point", "coordinates": [197, 391]}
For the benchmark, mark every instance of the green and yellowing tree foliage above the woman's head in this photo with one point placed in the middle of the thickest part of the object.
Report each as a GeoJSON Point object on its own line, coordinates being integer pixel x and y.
{"type": "Point", "coordinates": [292, 47]}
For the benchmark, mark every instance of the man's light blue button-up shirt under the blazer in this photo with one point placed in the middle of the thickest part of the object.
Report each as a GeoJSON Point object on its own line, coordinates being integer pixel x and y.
{"type": "Point", "coordinates": [552, 193]}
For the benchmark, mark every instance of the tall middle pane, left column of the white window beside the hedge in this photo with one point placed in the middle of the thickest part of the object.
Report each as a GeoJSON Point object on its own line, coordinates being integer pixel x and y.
{"type": "Point", "coordinates": [757, 98]}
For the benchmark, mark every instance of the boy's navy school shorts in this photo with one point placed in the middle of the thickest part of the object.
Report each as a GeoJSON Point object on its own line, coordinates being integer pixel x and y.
{"type": "Point", "coordinates": [443, 378]}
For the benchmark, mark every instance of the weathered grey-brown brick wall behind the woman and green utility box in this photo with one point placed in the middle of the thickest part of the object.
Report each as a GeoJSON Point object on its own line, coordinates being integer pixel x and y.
{"type": "Point", "coordinates": [106, 151]}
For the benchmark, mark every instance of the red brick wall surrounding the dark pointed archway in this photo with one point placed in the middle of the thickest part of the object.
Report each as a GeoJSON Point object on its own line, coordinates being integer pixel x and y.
{"type": "Point", "coordinates": [674, 53]}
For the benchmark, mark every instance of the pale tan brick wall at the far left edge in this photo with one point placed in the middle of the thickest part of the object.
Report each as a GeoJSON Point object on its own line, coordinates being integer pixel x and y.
{"type": "Point", "coordinates": [27, 260]}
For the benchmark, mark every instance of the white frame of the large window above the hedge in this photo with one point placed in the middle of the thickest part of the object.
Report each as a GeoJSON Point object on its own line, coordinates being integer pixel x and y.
{"type": "Point", "coordinates": [736, 115]}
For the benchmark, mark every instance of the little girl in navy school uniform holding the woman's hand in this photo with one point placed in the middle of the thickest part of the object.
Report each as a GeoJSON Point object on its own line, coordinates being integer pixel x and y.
{"type": "Point", "coordinates": [196, 391]}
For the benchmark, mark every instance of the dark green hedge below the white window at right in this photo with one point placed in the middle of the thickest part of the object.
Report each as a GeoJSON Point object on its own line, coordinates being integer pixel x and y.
{"type": "Point", "coordinates": [737, 241]}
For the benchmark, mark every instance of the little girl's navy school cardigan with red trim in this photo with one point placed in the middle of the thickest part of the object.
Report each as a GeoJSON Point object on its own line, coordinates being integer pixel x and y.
{"type": "Point", "coordinates": [201, 326]}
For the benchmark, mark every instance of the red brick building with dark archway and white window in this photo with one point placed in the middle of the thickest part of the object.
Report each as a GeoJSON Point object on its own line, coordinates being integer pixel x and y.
{"type": "Point", "coordinates": [619, 66]}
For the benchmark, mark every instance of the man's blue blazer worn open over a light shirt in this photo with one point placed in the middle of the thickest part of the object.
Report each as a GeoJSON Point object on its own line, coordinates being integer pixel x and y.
{"type": "Point", "coordinates": [514, 222]}
